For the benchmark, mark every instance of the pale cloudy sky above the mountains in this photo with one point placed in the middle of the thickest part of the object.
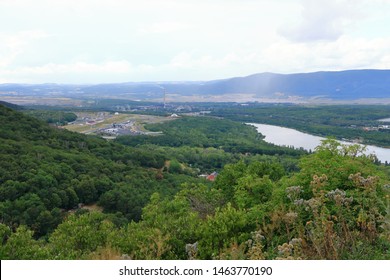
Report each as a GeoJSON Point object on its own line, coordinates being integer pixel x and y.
{"type": "Point", "coordinates": [103, 41]}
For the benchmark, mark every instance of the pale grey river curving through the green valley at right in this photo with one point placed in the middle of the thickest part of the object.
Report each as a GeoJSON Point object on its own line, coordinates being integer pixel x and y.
{"type": "Point", "coordinates": [283, 136]}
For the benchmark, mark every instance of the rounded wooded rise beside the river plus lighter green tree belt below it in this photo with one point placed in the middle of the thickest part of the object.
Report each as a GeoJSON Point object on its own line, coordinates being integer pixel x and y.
{"type": "Point", "coordinates": [210, 143]}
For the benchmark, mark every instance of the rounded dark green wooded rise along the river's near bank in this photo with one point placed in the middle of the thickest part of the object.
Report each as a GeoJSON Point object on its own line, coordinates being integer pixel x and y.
{"type": "Point", "coordinates": [232, 137]}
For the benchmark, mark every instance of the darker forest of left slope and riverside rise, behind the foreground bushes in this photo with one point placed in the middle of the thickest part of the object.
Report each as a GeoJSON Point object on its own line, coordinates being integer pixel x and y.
{"type": "Point", "coordinates": [45, 172]}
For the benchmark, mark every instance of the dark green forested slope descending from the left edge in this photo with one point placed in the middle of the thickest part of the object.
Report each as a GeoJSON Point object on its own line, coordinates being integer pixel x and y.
{"type": "Point", "coordinates": [44, 172]}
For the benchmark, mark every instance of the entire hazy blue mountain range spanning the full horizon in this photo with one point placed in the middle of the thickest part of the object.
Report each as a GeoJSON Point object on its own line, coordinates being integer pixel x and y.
{"type": "Point", "coordinates": [341, 85]}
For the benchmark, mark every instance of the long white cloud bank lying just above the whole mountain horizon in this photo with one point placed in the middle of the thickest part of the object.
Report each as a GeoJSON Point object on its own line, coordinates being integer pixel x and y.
{"type": "Point", "coordinates": [282, 56]}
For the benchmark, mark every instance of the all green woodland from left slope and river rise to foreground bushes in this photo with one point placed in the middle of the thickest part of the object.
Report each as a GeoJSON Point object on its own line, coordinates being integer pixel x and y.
{"type": "Point", "coordinates": [65, 195]}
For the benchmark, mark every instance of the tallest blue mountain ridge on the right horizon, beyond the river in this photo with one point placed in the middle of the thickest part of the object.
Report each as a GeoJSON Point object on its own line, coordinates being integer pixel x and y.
{"type": "Point", "coordinates": [336, 85]}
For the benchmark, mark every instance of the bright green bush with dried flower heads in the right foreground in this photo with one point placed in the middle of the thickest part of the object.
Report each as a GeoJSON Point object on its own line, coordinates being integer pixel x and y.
{"type": "Point", "coordinates": [338, 214]}
